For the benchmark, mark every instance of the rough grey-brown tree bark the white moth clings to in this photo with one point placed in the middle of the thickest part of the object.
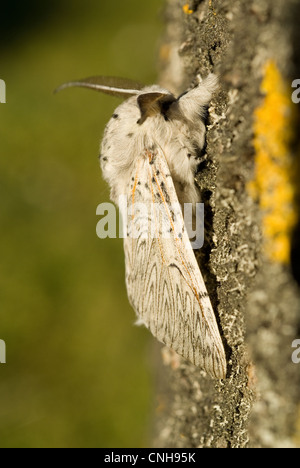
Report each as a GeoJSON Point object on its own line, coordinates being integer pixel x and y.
{"type": "Point", "coordinates": [255, 296]}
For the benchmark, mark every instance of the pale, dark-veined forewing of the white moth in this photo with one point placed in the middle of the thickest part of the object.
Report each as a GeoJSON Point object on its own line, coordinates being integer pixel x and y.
{"type": "Point", "coordinates": [164, 283]}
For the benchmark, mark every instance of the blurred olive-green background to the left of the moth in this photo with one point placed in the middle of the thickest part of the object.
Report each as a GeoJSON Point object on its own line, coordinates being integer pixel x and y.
{"type": "Point", "coordinates": [78, 372]}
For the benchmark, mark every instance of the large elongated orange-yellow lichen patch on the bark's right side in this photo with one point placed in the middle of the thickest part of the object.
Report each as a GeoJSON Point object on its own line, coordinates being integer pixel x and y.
{"type": "Point", "coordinates": [273, 183]}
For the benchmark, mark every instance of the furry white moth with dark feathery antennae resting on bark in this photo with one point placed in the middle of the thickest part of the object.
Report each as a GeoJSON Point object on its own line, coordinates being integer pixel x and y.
{"type": "Point", "coordinates": [149, 154]}
